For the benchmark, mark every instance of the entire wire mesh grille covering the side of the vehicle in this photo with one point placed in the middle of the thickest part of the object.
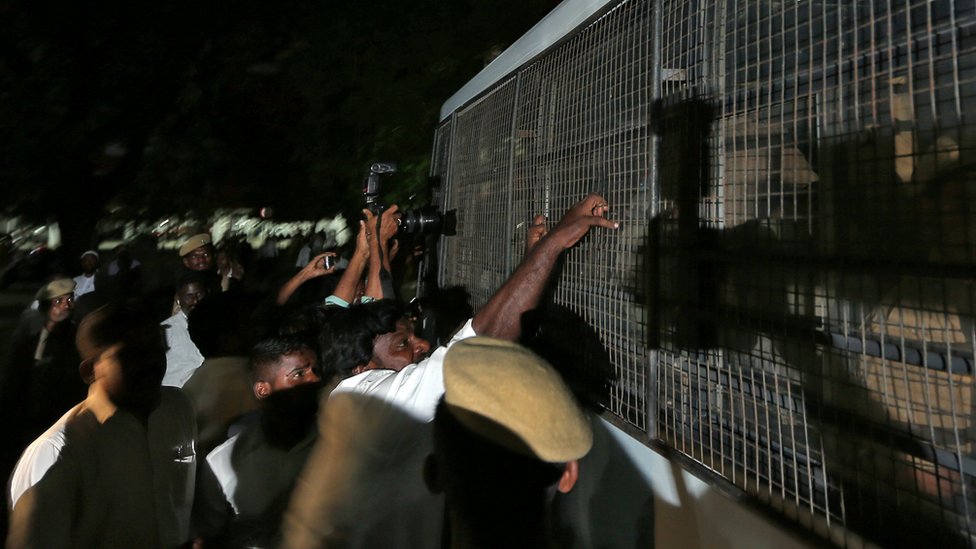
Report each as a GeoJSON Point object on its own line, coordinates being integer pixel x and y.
{"type": "Point", "coordinates": [790, 300]}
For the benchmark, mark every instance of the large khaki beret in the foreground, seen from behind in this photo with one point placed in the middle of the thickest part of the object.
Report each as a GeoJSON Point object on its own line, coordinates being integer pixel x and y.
{"type": "Point", "coordinates": [508, 395]}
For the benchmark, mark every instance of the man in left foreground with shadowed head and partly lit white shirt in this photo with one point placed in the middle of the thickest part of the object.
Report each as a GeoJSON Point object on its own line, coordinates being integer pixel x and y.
{"type": "Point", "coordinates": [118, 469]}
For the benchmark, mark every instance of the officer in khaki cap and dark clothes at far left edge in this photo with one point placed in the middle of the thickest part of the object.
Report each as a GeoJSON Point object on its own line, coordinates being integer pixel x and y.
{"type": "Point", "coordinates": [41, 376]}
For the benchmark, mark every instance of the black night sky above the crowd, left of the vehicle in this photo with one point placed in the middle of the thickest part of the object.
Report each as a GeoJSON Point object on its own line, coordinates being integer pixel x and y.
{"type": "Point", "coordinates": [168, 107]}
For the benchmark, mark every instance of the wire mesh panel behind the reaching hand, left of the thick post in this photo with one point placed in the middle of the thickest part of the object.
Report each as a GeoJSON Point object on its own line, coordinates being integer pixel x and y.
{"type": "Point", "coordinates": [583, 126]}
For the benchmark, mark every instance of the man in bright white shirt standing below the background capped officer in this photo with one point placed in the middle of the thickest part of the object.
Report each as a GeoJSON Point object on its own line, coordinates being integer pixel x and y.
{"type": "Point", "coordinates": [183, 357]}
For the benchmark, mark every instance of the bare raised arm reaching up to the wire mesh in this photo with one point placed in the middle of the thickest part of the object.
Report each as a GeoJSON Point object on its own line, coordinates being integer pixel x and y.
{"type": "Point", "coordinates": [501, 317]}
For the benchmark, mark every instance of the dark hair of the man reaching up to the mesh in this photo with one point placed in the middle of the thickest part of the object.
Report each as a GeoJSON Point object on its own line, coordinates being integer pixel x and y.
{"type": "Point", "coordinates": [346, 338]}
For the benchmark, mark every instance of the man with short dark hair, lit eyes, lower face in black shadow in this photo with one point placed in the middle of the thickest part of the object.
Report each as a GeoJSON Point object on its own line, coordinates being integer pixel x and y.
{"type": "Point", "coordinates": [247, 481]}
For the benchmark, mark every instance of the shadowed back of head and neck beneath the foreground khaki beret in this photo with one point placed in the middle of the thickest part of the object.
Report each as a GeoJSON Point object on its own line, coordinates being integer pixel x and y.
{"type": "Point", "coordinates": [501, 497]}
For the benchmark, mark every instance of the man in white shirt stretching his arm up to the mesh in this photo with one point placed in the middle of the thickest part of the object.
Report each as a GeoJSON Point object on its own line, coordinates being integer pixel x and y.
{"type": "Point", "coordinates": [391, 372]}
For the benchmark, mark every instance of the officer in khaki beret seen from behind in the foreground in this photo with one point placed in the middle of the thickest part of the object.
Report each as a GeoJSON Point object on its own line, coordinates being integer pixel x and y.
{"type": "Point", "coordinates": [507, 436]}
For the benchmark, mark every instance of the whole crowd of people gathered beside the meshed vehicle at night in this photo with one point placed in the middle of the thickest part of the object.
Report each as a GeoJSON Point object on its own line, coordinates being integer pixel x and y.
{"type": "Point", "coordinates": [221, 411]}
